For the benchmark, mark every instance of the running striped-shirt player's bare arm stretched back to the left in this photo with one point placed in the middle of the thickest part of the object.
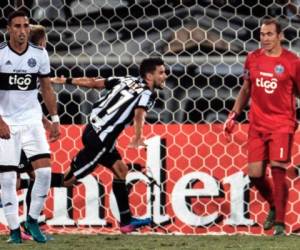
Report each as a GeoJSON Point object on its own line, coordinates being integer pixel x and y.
{"type": "Point", "coordinates": [88, 82]}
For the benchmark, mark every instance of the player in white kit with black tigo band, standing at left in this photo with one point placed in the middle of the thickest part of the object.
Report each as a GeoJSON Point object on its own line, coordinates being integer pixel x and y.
{"type": "Point", "coordinates": [21, 122]}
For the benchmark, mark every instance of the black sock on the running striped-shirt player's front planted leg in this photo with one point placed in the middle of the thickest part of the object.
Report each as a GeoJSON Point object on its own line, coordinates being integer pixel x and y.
{"type": "Point", "coordinates": [120, 191]}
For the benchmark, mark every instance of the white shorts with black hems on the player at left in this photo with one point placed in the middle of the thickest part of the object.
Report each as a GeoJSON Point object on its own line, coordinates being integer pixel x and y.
{"type": "Point", "coordinates": [31, 138]}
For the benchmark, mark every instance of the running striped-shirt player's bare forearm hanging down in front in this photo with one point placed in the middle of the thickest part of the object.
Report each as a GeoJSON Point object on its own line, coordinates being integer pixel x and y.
{"type": "Point", "coordinates": [139, 121]}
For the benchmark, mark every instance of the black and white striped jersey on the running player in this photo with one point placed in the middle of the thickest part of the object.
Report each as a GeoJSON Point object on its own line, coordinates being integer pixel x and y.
{"type": "Point", "coordinates": [114, 111]}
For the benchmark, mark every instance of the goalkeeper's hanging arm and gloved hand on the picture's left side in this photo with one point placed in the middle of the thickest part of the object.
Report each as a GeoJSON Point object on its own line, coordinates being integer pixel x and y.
{"type": "Point", "coordinates": [239, 105]}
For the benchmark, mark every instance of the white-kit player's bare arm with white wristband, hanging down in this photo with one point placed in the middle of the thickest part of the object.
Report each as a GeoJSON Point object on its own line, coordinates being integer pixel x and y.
{"type": "Point", "coordinates": [50, 102]}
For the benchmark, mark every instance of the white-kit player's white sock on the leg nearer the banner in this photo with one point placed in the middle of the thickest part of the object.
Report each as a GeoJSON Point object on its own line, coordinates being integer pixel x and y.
{"type": "Point", "coordinates": [39, 191]}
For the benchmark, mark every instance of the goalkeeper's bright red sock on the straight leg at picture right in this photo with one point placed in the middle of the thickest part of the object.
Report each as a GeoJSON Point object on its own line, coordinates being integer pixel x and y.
{"type": "Point", "coordinates": [281, 191]}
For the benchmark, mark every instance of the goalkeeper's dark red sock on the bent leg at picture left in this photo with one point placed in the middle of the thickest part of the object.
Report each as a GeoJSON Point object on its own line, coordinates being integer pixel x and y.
{"type": "Point", "coordinates": [264, 187]}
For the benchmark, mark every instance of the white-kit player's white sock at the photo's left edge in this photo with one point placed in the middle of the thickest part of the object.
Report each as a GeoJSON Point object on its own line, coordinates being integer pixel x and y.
{"type": "Point", "coordinates": [10, 199]}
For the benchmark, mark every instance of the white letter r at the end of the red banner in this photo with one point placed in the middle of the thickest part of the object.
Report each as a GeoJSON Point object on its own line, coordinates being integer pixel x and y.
{"type": "Point", "coordinates": [238, 183]}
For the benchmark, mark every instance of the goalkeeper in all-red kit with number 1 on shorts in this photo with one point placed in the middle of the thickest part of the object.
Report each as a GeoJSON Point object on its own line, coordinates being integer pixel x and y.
{"type": "Point", "coordinates": [270, 79]}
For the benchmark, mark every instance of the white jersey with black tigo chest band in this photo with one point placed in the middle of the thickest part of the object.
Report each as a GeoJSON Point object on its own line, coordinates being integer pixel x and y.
{"type": "Point", "coordinates": [19, 103]}
